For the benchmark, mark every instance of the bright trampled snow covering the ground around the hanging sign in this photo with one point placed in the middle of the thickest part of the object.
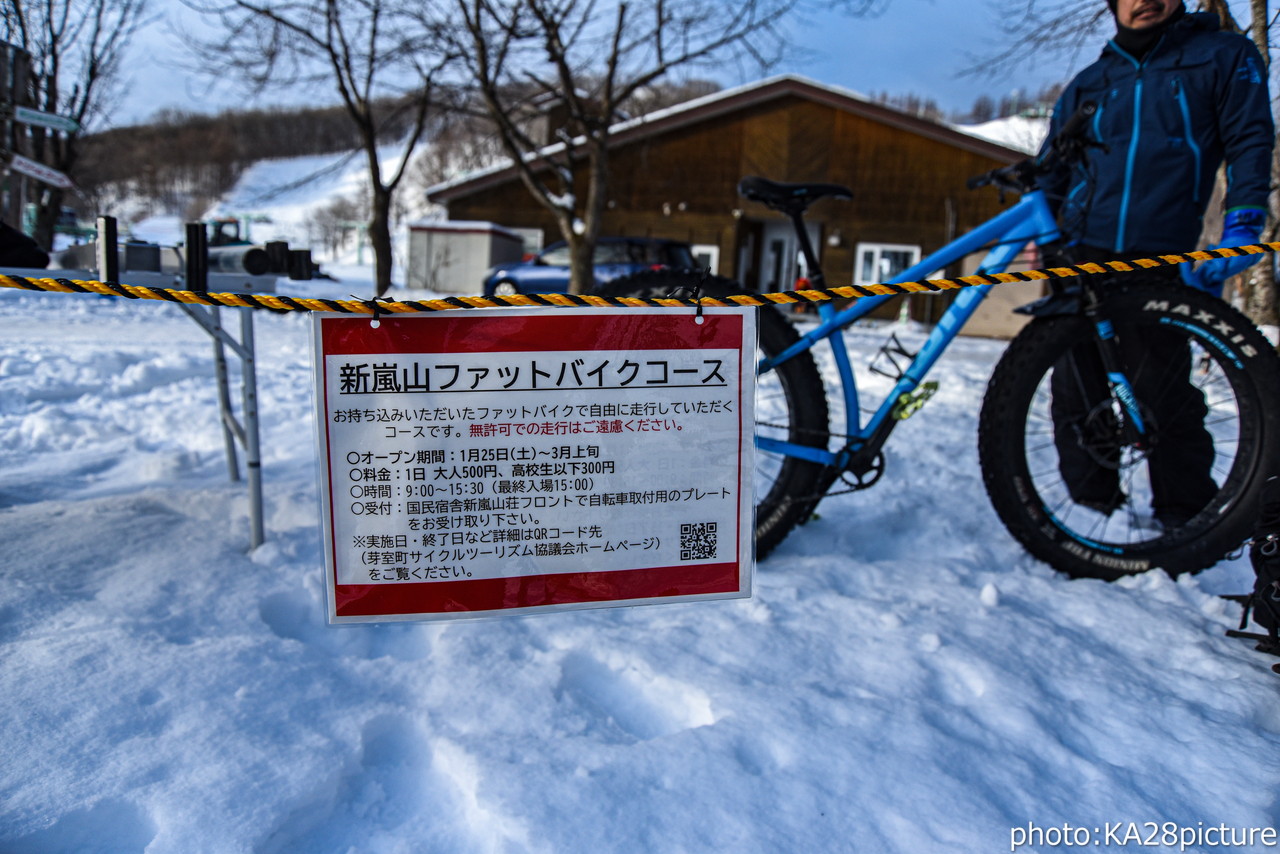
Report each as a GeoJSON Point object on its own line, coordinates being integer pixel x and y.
{"type": "Point", "coordinates": [906, 679]}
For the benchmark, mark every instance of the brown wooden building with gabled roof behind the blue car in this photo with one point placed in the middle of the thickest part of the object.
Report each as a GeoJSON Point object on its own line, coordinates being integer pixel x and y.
{"type": "Point", "coordinates": [675, 175]}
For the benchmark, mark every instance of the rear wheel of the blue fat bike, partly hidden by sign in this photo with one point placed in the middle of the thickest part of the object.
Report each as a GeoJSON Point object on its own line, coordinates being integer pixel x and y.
{"type": "Point", "coordinates": [790, 404]}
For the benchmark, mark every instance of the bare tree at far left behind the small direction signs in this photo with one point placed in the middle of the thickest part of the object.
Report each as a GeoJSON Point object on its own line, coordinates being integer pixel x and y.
{"type": "Point", "coordinates": [76, 48]}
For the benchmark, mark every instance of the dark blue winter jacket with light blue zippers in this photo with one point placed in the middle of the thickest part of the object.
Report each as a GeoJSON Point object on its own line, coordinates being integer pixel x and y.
{"type": "Point", "coordinates": [1197, 98]}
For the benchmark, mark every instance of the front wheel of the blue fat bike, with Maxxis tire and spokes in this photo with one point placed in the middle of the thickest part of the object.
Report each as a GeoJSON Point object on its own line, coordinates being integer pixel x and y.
{"type": "Point", "coordinates": [1235, 367]}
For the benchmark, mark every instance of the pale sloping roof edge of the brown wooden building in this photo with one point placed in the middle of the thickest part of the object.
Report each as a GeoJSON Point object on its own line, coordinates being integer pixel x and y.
{"type": "Point", "coordinates": [733, 101]}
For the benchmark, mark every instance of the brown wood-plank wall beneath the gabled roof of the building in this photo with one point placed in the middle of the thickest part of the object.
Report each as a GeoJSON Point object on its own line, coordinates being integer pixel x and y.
{"type": "Point", "coordinates": [908, 189]}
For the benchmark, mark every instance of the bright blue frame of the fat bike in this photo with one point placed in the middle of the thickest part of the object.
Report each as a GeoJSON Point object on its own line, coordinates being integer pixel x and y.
{"type": "Point", "coordinates": [1008, 234]}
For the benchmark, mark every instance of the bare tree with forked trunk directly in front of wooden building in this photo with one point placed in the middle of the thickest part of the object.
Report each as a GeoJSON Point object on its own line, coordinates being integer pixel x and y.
{"type": "Point", "coordinates": [588, 58]}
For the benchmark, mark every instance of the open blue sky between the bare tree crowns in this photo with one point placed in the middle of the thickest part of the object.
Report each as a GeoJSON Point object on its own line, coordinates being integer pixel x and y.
{"type": "Point", "coordinates": [918, 47]}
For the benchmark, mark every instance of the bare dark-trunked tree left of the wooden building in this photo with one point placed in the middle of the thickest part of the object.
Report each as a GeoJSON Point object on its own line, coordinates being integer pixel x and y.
{"type": "Point", "coordinates": [371, 52]}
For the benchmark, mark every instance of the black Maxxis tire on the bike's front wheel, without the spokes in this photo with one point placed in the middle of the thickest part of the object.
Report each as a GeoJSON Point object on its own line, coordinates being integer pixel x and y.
{"type": "Point", "coordinates": [1247, 362]}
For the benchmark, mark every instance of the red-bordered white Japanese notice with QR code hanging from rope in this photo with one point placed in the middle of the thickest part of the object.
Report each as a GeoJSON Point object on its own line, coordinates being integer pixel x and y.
{"type": "Point", "coordinates": [516, 462]}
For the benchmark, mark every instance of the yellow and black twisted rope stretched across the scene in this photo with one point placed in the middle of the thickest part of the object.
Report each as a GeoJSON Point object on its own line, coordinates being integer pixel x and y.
{"type": "Point", "coordinates": [275, 303]}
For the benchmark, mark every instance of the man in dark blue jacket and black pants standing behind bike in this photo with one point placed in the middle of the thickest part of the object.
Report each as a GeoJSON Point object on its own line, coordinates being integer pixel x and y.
{"type": "Point", "coordinates": [1177, 98]}
